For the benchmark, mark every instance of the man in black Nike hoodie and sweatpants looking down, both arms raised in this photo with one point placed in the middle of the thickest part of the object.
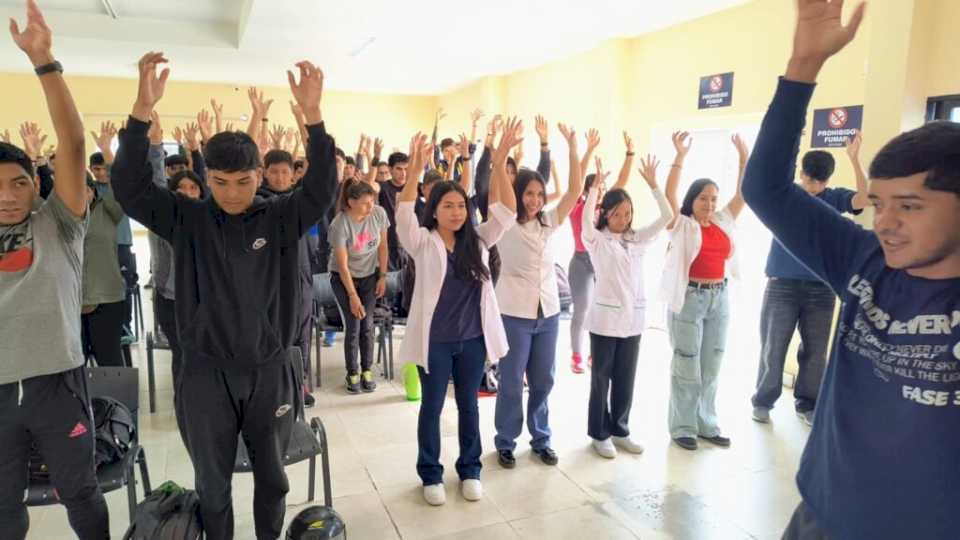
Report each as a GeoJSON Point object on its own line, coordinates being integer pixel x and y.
{"type": "Point", "coordinates": [238, 296]}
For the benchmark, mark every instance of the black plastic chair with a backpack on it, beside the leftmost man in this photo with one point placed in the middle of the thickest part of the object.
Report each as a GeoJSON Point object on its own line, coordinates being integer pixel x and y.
{"type": "Point", "coordinates": [121, 384]}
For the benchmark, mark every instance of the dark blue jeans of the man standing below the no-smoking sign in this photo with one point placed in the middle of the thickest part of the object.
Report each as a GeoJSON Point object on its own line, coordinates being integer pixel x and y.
{"type": "Point", "coordinates": [788, 303]}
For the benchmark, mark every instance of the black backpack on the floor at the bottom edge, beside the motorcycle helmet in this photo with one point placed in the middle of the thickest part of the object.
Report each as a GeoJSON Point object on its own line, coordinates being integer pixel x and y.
{"type": "Point", "coordinates": [170, 512]}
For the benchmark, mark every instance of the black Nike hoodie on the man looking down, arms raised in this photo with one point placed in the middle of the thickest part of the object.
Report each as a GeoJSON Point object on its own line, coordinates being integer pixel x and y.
{"type": "Point", "coordinates": [238, 294]}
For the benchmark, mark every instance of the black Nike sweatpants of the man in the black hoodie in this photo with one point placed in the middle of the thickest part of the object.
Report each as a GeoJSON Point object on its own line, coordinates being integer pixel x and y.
{"type": "Point", "coordinates": [214, 406]}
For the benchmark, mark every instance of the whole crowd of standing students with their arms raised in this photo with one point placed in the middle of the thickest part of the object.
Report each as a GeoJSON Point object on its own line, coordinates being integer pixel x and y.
{"type": "Point", "coordinates": [240, 223]}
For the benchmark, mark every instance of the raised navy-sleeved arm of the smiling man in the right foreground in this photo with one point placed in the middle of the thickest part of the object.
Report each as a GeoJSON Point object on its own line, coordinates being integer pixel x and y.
{"type": "Point", "coordinates": [816, 235]}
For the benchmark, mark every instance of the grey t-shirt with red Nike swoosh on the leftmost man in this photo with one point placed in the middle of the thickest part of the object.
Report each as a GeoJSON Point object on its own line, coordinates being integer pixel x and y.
{"type": "Point", "coordinates": [41, 261]}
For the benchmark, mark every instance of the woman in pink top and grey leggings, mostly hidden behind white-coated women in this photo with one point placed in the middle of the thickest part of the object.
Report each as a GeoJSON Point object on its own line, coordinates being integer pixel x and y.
{"type": "Point", "coordinates": [580, 272]}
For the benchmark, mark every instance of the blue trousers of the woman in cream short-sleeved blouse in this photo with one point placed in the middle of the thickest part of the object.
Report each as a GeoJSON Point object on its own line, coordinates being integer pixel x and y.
{"type": "Point", "coordinates": [533, 351]}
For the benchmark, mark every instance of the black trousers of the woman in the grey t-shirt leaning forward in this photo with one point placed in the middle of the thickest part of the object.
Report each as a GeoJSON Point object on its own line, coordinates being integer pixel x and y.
{"type": "Point", "coordinates": [358, 335]}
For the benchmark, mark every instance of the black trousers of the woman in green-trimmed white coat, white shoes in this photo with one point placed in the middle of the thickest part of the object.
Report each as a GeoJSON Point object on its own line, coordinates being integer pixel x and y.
{"type": "Point", "coordinates": [612, 375]}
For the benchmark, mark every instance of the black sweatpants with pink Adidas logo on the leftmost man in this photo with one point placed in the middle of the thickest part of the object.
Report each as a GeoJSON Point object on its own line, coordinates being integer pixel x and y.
{"type": "Point", "coordinates": [54, 411]}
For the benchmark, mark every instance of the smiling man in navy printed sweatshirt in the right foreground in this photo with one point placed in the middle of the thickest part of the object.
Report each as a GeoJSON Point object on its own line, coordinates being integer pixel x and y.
{"type": "Point", "coordinates": [882, 458]}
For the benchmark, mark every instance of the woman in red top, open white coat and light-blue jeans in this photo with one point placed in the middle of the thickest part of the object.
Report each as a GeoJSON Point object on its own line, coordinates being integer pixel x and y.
{"type": "Point", "coordinates": [701, 251]}
